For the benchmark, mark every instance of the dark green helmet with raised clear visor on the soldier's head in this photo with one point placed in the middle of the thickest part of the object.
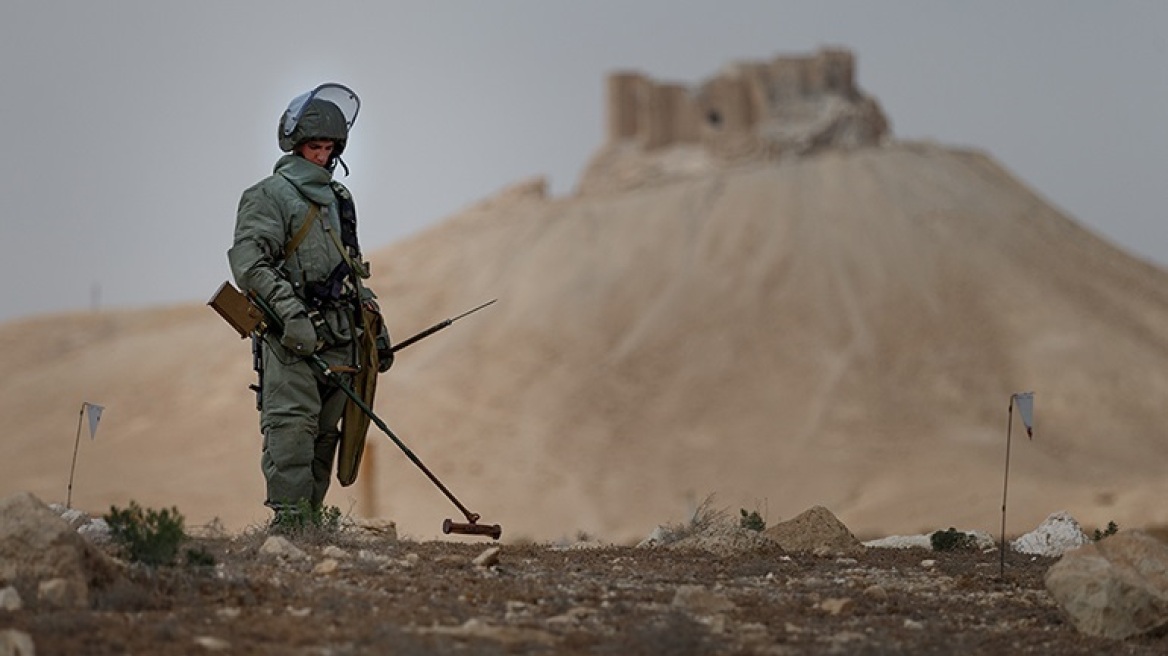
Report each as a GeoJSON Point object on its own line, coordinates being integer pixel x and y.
{"type": "Point", "coordinates": [326, 113]}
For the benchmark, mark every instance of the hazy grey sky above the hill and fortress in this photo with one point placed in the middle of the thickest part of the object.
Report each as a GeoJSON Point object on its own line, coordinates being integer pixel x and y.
{"type": "Point", "coordinates": [133, 127]}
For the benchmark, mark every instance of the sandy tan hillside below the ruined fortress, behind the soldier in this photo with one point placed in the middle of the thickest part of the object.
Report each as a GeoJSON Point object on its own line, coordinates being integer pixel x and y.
{"type": "Point", "coordinates": [840, 331]}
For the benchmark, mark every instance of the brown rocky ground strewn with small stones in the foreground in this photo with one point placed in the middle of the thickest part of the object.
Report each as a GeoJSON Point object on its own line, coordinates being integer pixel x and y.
{"type": "Point", "coordinates": [356, 592]}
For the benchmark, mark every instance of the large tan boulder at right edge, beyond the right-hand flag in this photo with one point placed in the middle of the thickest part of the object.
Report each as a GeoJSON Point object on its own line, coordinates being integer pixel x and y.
{"type": "Point", "coordinates": [1116, 588]}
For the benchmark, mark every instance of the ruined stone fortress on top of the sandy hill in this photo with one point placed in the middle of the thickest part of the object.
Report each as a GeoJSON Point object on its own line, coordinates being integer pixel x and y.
{"type": "Point", "coordinates": [752, 111]}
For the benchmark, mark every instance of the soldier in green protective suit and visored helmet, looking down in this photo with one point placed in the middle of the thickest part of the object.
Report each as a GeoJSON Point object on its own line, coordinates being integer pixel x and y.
{"type": "Point", "coordinates": [296, 247]}
